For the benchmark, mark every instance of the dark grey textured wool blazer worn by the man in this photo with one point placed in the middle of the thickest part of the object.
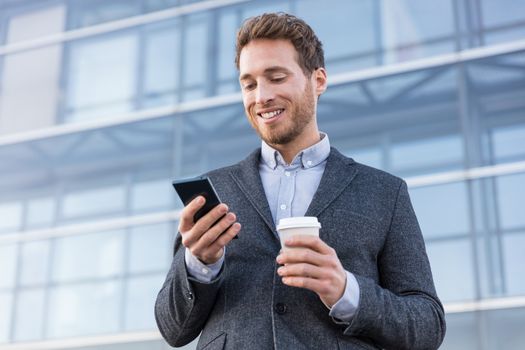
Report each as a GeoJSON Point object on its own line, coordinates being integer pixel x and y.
{"type": "Point", "coordinates": [366, 216]}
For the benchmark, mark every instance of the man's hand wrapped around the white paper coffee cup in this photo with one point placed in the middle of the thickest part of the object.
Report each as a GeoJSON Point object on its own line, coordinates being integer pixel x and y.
{"type": "Point", "coordinates": [313, 265]}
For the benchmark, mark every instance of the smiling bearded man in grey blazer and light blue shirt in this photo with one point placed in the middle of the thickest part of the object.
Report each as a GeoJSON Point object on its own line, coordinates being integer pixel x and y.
{"type": "Point", "coordinates": [365, 283]}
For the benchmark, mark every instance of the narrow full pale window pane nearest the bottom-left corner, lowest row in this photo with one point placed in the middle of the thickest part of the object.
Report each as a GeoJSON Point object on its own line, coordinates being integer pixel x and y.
{"type": "Point", "coordinates": [29, 314]}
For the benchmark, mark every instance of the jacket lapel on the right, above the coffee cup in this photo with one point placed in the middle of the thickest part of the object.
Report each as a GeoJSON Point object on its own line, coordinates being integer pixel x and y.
{"type": "Point", "coordinates": [337, 175]}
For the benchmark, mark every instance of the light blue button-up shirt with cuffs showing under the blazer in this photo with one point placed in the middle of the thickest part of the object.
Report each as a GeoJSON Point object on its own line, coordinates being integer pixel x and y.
{"type": "Point", "coordinates": [289, 189]}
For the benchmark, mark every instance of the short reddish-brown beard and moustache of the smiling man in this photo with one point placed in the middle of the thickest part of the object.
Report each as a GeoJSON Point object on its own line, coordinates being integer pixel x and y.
{"type": "Point", "coordinates": [300, 115]}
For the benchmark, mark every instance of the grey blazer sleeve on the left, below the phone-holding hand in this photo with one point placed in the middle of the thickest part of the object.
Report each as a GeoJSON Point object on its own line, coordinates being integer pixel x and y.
{"type": "Point", "coordinates": [183, 303]}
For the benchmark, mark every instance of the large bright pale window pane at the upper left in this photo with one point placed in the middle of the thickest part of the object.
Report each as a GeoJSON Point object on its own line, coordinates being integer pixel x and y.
{"type": "Point", "coordinates": [102, 77]}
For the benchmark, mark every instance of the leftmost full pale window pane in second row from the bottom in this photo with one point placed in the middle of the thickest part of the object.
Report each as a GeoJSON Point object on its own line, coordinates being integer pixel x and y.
{"type": "Point", "coordinates": [34, 262]}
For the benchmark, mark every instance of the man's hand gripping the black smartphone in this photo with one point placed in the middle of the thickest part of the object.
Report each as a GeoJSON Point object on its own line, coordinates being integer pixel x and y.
{"type": "Point", "coordinates": [205, 238]}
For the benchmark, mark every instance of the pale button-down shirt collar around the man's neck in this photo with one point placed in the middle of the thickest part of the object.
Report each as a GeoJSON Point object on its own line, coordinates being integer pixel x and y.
{"type": "Point", "coordinates": [308, 158]}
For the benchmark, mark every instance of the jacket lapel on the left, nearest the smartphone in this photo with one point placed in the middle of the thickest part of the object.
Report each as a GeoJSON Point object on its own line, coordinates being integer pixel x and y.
{"type": "Point", "coordinates": [246, 176]}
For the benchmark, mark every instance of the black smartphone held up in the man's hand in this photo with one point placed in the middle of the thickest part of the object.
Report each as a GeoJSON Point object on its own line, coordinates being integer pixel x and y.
{"type": "Point", "coordinates": [188, 189]}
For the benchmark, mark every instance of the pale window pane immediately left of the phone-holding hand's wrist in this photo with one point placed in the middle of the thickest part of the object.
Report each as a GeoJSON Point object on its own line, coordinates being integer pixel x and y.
{"type": "Point", "coordinates": [151, 248]}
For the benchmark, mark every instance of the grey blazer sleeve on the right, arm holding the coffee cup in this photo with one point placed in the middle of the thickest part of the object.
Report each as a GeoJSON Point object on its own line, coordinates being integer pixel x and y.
{"type": "Point", "coordinates": [403, 310]}
